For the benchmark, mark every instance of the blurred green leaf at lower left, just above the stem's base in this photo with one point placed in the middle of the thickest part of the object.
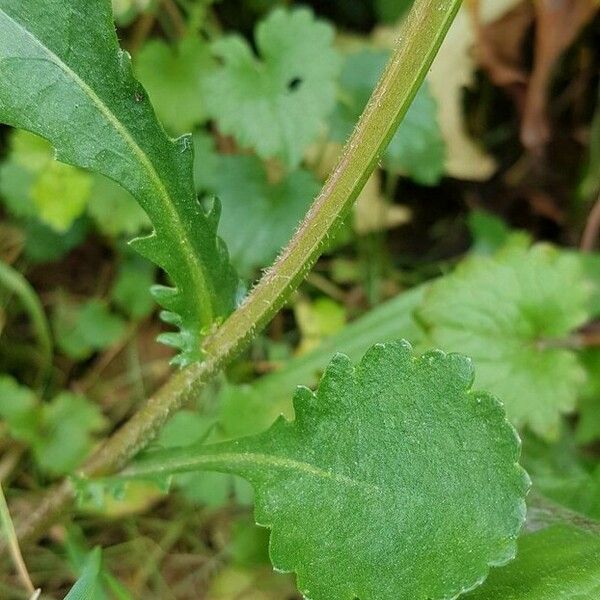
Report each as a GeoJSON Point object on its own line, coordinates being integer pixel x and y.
{"type": "Point", "coordinates": [65, 436]}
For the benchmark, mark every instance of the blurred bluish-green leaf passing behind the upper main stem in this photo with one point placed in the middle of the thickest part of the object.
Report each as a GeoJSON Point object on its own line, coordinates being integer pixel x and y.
{"type": "Point", "coordinates": [417, 149]}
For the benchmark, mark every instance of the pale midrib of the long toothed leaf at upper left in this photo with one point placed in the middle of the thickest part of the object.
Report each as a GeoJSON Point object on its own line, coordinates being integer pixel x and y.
{"type": "Point", "coordinates": [194, 268]}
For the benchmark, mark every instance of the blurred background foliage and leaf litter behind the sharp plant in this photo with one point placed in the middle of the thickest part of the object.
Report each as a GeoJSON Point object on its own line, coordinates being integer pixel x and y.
{"type": "Point", "coordinates": [500, 149]}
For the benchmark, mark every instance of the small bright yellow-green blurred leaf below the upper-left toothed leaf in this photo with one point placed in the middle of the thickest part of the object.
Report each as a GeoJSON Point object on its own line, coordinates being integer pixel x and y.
{"type": "Point", "coordinates": [60, 195]}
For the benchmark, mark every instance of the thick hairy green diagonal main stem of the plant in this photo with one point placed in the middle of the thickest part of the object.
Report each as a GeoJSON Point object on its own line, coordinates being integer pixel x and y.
{"type": "Point", "coordinates": [424, 30]}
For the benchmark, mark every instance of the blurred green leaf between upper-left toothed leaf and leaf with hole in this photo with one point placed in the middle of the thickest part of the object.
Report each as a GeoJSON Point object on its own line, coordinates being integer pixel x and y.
{"type": "Point", "coordinates": [175, 78]}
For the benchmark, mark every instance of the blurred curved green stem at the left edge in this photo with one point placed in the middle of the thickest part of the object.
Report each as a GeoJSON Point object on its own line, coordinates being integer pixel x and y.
{"type": "Point", "coordinates": [15, 283]}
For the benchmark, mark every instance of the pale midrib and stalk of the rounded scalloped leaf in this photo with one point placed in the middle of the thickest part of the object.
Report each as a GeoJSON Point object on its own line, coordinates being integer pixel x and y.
{"type": "Point", "coordinates": [231, 459]}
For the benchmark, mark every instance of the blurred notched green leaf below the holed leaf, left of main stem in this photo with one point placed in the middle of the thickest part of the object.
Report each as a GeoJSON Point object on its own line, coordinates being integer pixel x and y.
{"type": "Point", "coordinates": [270, 213]}
